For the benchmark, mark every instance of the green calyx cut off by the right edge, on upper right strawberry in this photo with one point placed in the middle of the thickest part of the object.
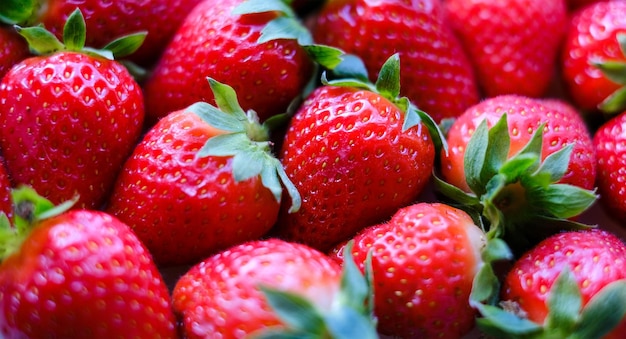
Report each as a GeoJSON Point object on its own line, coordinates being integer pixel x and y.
{"type": "Point", "coordinates": [614, 70]}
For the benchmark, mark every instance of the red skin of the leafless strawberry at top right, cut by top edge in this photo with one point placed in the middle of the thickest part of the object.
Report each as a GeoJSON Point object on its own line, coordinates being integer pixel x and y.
{"type": "Point", "coordinates": [512, 44]}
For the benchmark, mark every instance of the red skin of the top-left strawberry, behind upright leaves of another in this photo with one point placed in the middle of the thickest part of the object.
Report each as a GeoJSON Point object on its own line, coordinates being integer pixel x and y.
{"type": "Point", "coordinates": [107, 20]}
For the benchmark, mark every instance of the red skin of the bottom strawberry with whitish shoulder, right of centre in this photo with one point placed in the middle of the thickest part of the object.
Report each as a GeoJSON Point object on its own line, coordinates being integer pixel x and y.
{"type": "Point", "coordinates": [424, 261]}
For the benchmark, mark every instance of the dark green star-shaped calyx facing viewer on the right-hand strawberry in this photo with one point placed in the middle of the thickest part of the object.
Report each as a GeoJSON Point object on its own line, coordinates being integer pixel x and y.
{"type": "Point", "coordinates": [519, 198]}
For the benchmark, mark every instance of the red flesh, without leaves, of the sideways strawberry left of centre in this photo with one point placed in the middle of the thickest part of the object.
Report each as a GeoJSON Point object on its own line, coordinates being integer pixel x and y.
{"type": "Point", "coordinates": [184, 208]}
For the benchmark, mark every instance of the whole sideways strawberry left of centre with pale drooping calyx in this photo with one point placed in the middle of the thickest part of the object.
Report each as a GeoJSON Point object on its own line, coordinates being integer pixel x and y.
{"type": "Point", "coordinates": [200, 180]}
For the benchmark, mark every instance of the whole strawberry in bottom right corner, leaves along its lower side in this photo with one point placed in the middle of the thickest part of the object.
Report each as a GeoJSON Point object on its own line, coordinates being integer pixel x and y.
{"type": "Point", "coordinates": [571, 285]}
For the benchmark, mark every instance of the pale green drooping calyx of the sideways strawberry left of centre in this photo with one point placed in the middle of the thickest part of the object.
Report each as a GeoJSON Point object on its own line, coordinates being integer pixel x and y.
{"type": "Point", "coordinates": [246, 141]}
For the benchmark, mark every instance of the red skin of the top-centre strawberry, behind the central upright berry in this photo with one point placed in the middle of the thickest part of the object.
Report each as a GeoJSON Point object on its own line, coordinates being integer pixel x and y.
{"type": "Point", "coordinates": [435, 72]}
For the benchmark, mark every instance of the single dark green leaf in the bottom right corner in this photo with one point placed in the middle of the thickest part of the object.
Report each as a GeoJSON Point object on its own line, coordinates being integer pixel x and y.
{"type": "Point", "coordinates": [603, 312]}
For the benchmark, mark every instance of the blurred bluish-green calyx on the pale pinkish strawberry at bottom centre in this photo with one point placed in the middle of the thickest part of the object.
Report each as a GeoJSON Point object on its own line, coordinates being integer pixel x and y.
{"type": "Point", "coordinates": [351, 316]}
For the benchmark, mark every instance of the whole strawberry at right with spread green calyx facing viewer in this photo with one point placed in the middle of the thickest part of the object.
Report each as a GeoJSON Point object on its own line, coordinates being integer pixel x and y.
{"type": "Point", "coordinates": [525, 164]}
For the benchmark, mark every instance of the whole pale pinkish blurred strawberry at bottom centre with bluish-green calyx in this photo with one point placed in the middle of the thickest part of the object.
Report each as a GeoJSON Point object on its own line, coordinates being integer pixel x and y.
{"type": "Point", "coordinates": [273, 289]}
